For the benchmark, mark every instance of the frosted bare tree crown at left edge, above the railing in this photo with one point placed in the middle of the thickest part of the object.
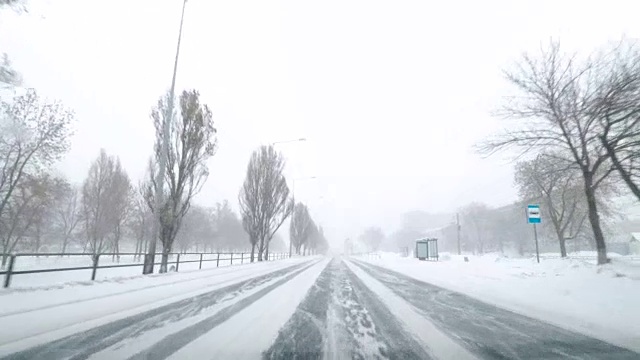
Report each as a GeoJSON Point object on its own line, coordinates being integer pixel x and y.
{"type": "Point", "coordinates": [33, 134]}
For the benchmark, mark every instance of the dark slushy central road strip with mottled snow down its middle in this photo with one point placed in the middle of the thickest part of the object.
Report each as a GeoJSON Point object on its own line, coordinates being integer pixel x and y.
{"type": "Point", "coordinates": [341, 318]}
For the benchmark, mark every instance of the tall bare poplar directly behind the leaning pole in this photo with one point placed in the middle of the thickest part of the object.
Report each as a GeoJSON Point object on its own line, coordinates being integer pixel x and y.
{"type": "Point", "coordinates": [192, 141]}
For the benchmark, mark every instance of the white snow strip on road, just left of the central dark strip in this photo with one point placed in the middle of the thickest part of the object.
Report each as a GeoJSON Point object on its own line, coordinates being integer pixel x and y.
{"type": "Point", "coordinates": [248, 333]}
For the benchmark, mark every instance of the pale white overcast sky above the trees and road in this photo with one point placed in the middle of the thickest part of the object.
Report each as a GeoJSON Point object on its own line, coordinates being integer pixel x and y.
{"type": "Point", "coordinates": [391, 95]}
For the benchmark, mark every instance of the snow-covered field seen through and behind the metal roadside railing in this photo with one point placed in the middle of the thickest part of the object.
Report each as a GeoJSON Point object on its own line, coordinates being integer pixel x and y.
{"type": "Point", "coordinates": [21, 281]}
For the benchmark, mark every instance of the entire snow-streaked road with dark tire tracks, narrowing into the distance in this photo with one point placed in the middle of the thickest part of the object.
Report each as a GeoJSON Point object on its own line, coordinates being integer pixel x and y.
{"type": "Point", "coordinates": [308, 308]}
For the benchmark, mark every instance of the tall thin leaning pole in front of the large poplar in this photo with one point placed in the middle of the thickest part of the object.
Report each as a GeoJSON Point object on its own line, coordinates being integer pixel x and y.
{"type": "Point", "coordinates": [162, 160]}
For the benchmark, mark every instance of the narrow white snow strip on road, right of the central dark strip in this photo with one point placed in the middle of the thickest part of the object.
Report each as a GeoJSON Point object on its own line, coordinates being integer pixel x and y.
{"type": "Point", "coordinates": [439, 344]}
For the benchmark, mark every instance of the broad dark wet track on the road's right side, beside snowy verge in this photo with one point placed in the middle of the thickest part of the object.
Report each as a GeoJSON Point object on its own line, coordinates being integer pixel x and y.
{"type": "Point", "coordinates": [491, 332]}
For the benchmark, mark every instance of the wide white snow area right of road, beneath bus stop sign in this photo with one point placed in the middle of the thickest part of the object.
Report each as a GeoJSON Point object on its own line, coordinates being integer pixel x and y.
{"type": "Point", "coordinates": [576, 294]}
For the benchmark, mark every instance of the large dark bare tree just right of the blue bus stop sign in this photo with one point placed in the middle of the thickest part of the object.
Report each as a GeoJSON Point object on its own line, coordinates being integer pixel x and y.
{"type": "Point", "coordinates": [567, 103]}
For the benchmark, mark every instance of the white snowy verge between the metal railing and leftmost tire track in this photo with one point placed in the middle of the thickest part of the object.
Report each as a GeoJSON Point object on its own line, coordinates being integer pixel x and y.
{"type": "Point", "coordinates": [36, 317]}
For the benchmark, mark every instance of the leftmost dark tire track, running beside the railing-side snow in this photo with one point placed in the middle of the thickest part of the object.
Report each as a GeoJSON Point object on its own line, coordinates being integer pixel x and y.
{"type": "Point", "coordinates": [84, 344]}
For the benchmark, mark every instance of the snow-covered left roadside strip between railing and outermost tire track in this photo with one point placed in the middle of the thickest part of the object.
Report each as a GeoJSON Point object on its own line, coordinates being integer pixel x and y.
{"type": "Point", "coordinates": [28, 328]}
